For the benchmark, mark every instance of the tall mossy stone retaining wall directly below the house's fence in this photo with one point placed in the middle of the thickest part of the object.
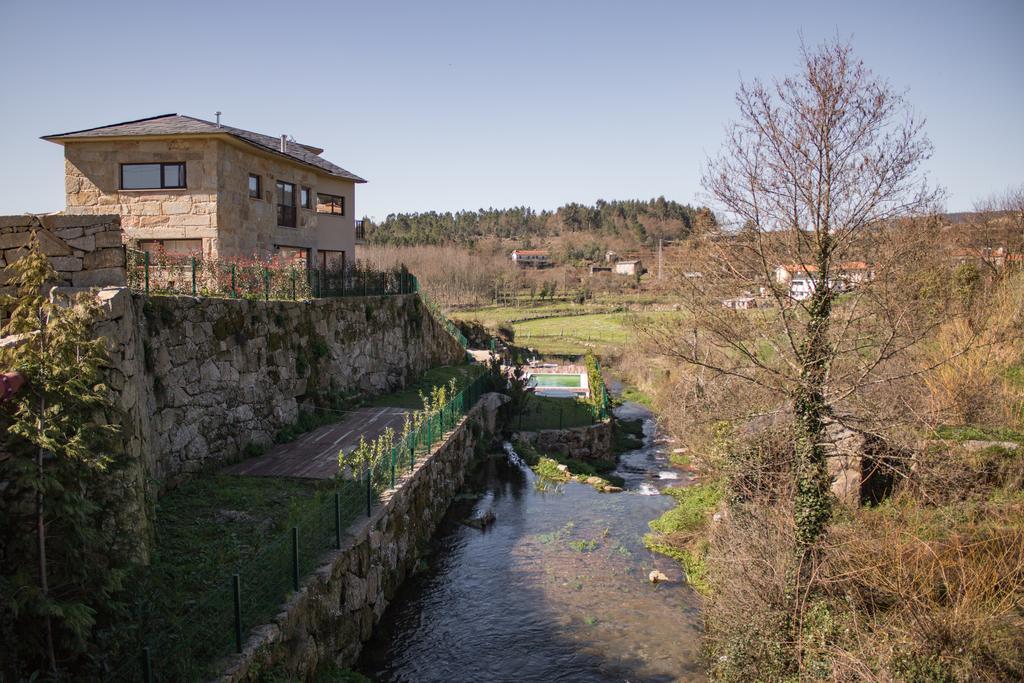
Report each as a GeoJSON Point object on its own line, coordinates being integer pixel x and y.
{"type": "Point", "coordinates": [203, 380]}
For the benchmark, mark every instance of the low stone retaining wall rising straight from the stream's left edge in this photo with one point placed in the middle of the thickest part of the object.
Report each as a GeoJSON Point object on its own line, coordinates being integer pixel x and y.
{"type": "Point", "coordinates": [336, 609]}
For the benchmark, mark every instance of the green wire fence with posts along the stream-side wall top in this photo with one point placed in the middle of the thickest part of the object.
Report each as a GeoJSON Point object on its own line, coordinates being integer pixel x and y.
{"type": "Point", "coordinates": [189, 649]}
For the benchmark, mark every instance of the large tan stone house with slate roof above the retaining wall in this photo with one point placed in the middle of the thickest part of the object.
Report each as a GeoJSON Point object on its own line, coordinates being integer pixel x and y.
{"type": "Point", "coordinates": [194, 187]}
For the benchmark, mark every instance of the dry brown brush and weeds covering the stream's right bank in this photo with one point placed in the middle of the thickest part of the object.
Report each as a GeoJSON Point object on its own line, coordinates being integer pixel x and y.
{"type": "Point", "coordinates": [921, 580]}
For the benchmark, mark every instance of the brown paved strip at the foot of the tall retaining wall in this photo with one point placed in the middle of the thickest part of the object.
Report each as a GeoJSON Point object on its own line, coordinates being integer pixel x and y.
{"type": "Point", "coordinates": [315, 455]}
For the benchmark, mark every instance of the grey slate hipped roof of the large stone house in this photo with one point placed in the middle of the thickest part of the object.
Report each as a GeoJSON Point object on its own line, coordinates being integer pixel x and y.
{"type": "Point", "coordinates": [176, 124]}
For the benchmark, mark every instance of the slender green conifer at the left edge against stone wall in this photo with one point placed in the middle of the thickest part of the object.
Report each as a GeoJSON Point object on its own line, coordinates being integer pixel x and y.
{"type": "Point", "coordinates": [58, 434]}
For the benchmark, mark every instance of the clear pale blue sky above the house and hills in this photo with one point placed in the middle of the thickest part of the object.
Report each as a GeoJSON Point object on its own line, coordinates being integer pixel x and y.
{"type": "Point", "coordinates": [450, 106]}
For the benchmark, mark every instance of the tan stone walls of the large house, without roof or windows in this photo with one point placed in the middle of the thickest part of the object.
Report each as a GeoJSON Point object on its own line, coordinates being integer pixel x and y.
{"type": "Point", "coordinates": [216, 207]}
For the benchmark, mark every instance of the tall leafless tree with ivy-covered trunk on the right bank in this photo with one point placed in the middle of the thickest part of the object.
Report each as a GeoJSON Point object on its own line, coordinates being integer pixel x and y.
{"type": "Point", "coordinates": [819, 170]}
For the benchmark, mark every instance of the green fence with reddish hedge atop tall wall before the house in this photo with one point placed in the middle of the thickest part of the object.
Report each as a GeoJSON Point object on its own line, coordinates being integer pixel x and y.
{"type": "Point", "coordinates": [248, 279]}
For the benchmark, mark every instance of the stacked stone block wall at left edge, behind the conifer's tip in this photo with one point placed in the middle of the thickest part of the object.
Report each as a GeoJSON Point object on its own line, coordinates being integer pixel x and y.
{"type": "Point", "coordinates": [87, 251]}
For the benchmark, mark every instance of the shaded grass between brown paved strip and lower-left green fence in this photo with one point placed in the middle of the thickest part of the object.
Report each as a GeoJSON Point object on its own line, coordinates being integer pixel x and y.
{"type": "Point", "coordinates": [205, 531]}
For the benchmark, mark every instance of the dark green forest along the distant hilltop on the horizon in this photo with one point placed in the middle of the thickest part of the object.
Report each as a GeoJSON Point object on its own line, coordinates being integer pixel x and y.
{"type": "Point", "coordinates": [633, 222]}
